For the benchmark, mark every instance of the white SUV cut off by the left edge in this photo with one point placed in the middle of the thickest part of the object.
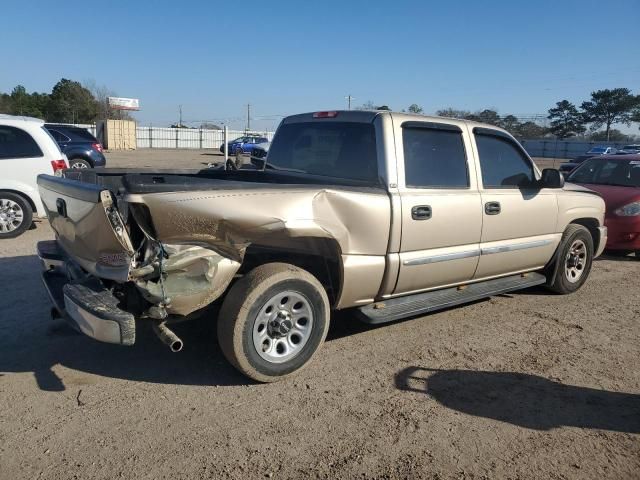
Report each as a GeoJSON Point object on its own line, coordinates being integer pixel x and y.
{"type": "Point", "coordinates": [26, 150]}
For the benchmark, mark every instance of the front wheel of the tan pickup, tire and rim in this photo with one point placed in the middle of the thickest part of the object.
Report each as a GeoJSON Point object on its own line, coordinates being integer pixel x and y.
{"type": "Point", "coordinates": [566, 263]}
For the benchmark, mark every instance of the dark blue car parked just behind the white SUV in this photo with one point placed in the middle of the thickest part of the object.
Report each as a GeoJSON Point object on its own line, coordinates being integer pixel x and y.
{"type": "Point", "coordinates": [81, 148]}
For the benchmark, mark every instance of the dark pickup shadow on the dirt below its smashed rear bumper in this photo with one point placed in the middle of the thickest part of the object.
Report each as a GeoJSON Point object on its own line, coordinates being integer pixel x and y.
{"type": "Point", "coordinates": [33, 342]}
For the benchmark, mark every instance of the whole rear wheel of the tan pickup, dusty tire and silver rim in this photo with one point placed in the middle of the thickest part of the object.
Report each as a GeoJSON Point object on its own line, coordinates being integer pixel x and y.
{"type": "Point", "coordinates": [273, 321]}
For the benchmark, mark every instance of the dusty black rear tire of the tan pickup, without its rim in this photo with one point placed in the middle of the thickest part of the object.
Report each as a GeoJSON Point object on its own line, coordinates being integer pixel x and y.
{"type": "Point", "coordinates": [238, 319]}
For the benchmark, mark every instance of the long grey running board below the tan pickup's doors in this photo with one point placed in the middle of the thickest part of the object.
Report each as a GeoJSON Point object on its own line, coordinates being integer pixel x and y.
{"type": "Point", "coordinates": [421, 303]}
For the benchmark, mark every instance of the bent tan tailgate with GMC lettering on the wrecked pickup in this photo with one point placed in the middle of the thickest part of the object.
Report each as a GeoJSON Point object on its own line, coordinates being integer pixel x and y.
{"type": "Point", "coordinates": [88, 226]}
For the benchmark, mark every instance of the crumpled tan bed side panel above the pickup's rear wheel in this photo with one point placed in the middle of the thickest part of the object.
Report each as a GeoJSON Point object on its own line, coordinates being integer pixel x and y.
{"type": "Point", "coordinates": [227, 222]}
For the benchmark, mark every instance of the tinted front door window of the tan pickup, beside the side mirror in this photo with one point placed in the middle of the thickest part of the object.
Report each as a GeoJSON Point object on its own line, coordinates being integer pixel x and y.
{"type": "Point", "coordinates": [502, 163]}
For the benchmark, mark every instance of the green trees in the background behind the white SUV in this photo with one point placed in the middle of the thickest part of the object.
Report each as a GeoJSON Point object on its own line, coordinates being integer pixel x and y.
{"type": "Point", "coordinates": [68, 102]}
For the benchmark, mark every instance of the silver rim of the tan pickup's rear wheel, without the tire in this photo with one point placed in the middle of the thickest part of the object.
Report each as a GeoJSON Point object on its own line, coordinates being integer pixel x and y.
{"type": "Point", "coordinates": [283, 327]}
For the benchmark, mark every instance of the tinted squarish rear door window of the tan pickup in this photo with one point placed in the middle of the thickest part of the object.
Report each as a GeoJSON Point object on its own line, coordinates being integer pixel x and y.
{"type": "Point", "coordinates": [434, 157]}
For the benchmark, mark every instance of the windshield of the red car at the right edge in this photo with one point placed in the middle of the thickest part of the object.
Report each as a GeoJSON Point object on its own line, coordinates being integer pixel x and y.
{"type": "Point", "coordinates": [623, 173]}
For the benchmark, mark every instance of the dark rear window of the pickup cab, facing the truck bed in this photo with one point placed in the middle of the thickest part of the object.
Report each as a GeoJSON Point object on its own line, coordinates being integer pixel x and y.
{"type": "Point", "coordinates": [332, 149]}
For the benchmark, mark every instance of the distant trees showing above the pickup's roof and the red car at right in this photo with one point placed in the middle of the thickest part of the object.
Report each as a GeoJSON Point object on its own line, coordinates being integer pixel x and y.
{"type": "Point", "coordinates": [605, 108]}
